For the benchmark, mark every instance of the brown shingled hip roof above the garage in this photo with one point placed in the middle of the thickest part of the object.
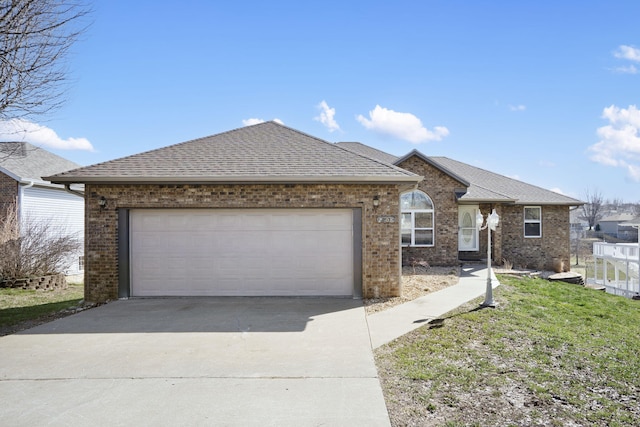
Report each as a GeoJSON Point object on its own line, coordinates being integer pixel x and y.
{"type": "Point", "coordinates": [268, 152]}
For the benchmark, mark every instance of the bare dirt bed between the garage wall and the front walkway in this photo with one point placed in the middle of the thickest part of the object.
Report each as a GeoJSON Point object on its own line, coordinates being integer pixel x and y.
{"type": "Point", "coordinates": [416, 282]}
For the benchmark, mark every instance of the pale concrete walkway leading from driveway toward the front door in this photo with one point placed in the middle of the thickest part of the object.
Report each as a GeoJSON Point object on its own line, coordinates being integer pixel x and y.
{"type": "Point", "coordinates": [390, 324]}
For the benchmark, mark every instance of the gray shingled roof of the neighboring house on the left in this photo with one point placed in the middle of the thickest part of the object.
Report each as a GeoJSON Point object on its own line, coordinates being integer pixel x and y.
{"type": "Point", "coordinates": [25, 162]}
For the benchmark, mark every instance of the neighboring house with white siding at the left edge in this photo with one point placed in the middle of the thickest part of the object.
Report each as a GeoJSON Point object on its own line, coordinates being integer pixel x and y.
{"type": "Point", "coordinates": [22, 167]}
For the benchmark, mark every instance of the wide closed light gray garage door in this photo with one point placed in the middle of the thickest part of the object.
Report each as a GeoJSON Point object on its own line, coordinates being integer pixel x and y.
{"type": "Point", "coordinates": [241, 252]}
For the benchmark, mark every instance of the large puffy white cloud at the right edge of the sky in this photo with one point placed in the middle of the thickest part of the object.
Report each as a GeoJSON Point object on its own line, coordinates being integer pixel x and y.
{"type": "Point", "coordinates": [619, 144]}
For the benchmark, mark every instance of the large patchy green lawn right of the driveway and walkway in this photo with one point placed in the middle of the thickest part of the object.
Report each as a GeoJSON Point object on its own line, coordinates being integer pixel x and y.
{"type": "Point", "coordinates": [551, 353]}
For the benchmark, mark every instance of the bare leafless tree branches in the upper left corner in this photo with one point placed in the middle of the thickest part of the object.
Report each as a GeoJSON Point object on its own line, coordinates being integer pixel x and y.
{"type": "Point", "coordinates": [35, 38]}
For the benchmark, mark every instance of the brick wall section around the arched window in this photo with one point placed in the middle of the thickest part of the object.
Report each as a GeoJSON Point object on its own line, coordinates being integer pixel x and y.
{"type": "Point", "coordinates": [440, 187]}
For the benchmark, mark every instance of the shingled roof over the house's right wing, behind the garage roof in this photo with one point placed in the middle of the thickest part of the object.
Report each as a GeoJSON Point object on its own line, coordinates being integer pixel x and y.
{"type": "Point", "coordinates": [482, 185]}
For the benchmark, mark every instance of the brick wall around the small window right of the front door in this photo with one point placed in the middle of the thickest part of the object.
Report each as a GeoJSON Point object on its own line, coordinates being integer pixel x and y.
{"type": "Point", "coordinates": [536, 253]}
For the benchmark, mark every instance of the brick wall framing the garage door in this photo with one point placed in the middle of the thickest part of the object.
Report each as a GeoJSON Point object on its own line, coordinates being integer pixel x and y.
{"type": "Point", "coordinates": [380, 241]}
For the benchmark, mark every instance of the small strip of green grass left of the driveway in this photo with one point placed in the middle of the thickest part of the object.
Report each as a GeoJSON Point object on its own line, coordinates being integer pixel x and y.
{"type": "Point", "coordinates": [18, 305]}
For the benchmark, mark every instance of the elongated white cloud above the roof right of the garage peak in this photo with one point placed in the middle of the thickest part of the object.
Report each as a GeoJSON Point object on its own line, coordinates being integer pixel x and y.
{"type": "Point", "coordinates": [404, 126]}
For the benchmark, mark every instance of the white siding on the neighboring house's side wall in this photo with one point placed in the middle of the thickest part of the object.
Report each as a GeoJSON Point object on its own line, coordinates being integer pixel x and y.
{"type": "Point", "coordinates": [61, 210]}
